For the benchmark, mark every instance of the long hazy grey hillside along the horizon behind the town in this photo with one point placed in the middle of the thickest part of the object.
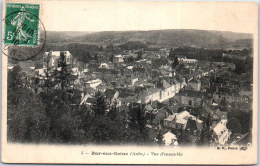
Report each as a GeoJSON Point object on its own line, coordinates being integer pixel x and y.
{"type": "Point", "coordinates": [166, 38]}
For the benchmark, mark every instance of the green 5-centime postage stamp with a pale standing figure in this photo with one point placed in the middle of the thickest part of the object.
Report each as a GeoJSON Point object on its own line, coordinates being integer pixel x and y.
{"type": "Point", "coordinates": [21, 24]}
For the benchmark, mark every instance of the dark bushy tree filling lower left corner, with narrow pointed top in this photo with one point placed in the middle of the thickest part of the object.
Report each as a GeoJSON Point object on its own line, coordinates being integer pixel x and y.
{"type": "Point", "coordinates": [26, 118]}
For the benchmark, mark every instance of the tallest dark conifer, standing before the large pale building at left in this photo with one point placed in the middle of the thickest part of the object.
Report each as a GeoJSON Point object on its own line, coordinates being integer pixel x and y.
{"type": "Point", "coordinates": [58, 103]}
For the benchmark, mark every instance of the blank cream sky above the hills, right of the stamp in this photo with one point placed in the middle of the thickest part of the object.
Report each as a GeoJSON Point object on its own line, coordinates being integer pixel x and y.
{"type": "Point", "coordinates": [129, 15]}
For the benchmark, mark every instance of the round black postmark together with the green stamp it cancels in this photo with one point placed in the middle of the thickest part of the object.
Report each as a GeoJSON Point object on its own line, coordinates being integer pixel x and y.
{"type": "Point", "coordinates": [23, 33]}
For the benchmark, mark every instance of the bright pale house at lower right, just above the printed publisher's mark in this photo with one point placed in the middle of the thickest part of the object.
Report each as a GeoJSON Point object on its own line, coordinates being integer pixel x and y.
{"type": "Point", "coordinates": [220, 133]}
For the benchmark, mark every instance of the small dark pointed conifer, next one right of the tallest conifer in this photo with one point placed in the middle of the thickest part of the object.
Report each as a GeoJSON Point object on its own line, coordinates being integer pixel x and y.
{"type": "Point", "coordinates": [99, 106]}
